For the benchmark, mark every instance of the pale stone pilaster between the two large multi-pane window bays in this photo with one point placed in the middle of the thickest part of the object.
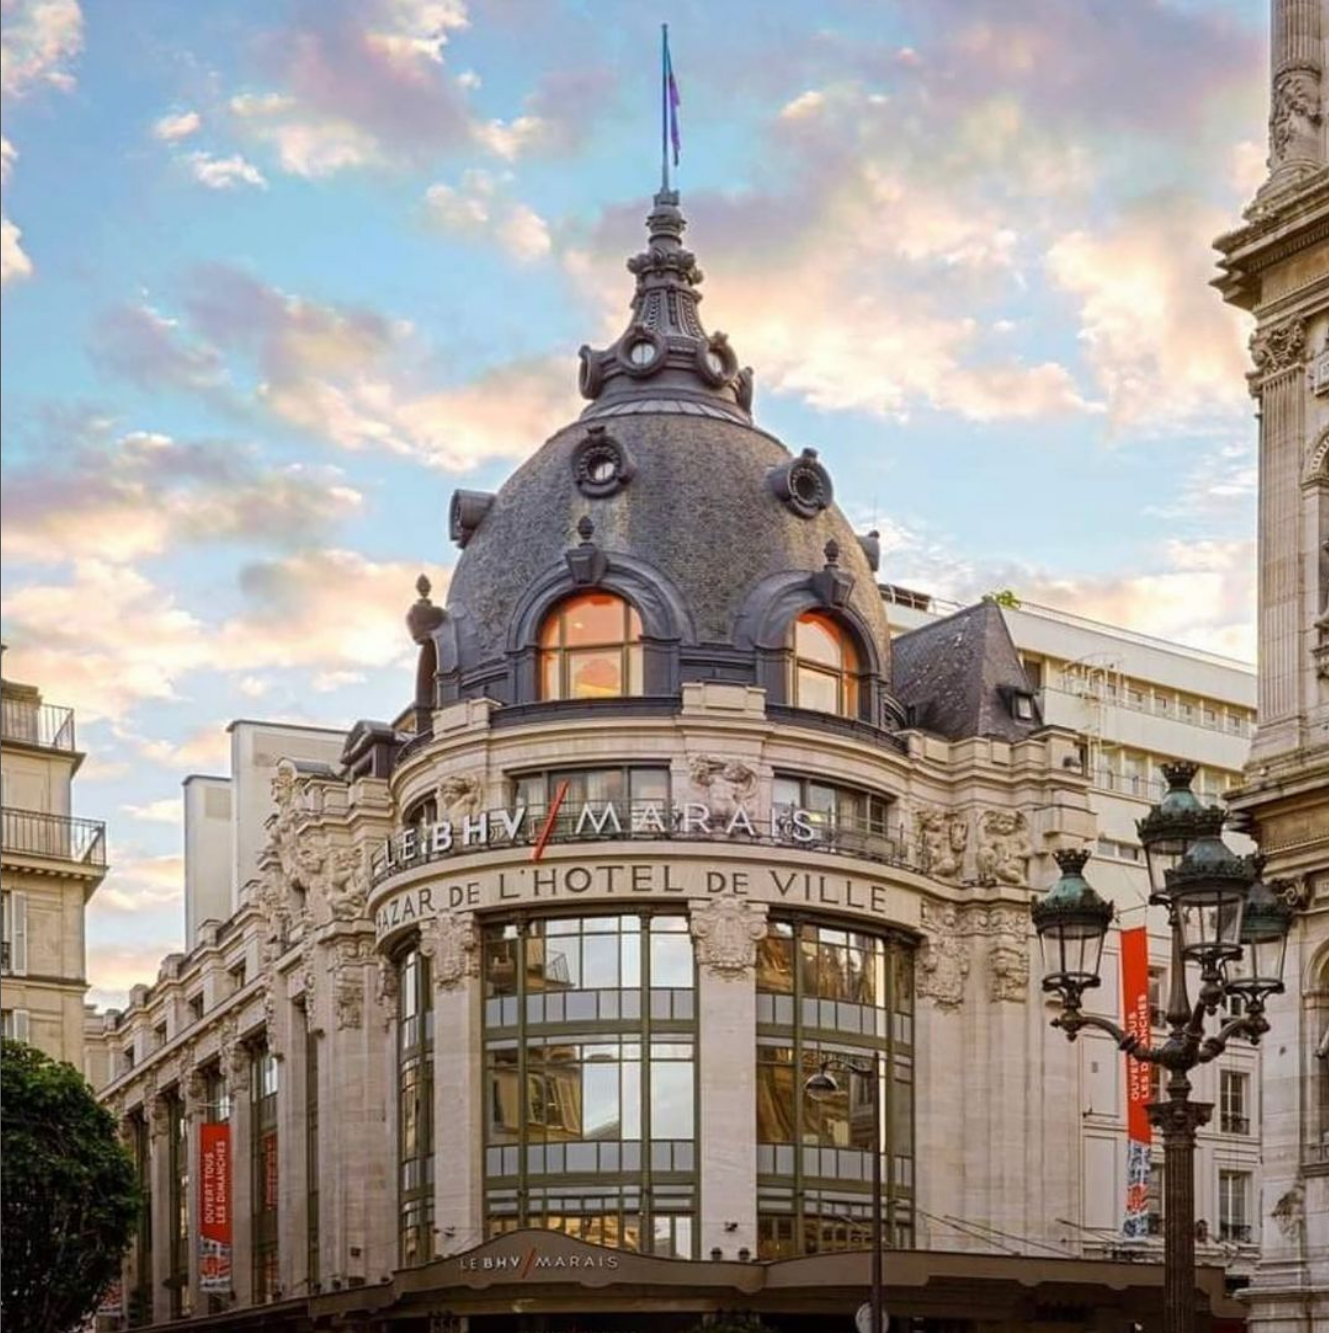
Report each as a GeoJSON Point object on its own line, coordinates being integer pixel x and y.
{"type": "Point", "coordinates": [726, 932]}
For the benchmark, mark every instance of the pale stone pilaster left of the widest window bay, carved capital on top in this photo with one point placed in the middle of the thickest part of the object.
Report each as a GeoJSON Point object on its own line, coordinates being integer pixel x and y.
{"type": "Point", "coordinates": [453, 946]}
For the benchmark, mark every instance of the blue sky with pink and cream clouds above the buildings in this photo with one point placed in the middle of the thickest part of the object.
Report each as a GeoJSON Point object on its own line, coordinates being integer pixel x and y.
{"type": "Point", "coordinates": [279, 278]}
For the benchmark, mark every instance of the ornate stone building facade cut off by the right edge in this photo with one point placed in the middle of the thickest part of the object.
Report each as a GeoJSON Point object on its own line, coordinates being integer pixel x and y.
{"type": "Point", "coordinates": [1276, 266]}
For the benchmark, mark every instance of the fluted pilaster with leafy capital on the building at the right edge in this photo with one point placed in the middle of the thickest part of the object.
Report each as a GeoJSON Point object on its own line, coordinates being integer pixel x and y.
{"type": "Point", "coordinates": [1279, 353]}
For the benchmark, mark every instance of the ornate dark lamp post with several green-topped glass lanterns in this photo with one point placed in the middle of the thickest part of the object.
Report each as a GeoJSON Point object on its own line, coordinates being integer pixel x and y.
{"type": "Point", "coordinates": [1223, 919]}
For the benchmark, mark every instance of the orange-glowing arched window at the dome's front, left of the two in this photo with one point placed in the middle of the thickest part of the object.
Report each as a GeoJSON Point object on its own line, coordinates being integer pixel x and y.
{"type": "Point", "coordinates": [591, 649]}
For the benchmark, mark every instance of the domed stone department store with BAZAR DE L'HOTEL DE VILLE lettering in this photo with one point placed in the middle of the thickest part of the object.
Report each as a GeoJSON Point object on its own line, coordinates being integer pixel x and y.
{"type": "Point", "coordinates": [501, 1015]}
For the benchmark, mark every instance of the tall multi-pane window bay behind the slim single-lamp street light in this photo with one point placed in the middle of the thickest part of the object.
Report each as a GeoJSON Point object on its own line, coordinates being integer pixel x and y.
{"type": "Point", "coordinates": [827, 994]}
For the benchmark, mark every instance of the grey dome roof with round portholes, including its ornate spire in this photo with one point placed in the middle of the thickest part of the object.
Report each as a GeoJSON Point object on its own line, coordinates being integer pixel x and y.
{"type": "Point", "coordinates": [666, 493]}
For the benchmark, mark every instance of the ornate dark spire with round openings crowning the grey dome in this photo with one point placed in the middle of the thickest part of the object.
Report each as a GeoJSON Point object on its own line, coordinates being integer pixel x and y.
{"type": "Point", "coordinates": [666, 358]}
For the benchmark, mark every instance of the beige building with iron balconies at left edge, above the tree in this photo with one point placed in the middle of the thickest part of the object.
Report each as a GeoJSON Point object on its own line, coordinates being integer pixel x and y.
{"type": "Point", "coordinates": [51, 864]}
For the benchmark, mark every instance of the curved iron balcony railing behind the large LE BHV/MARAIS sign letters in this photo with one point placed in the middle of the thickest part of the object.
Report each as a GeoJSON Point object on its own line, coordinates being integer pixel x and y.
{"type": "Point", "coordinates": [808, 831]}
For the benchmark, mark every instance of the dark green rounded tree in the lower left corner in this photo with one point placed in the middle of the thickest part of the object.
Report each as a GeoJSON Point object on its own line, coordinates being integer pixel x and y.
{"type": "Point", "coordinates": [70, 1195]}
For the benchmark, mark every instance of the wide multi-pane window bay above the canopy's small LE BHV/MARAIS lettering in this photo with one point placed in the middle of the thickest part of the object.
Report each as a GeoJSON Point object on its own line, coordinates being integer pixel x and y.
{"type": "Point", "coordinates": [591, 1120]}
